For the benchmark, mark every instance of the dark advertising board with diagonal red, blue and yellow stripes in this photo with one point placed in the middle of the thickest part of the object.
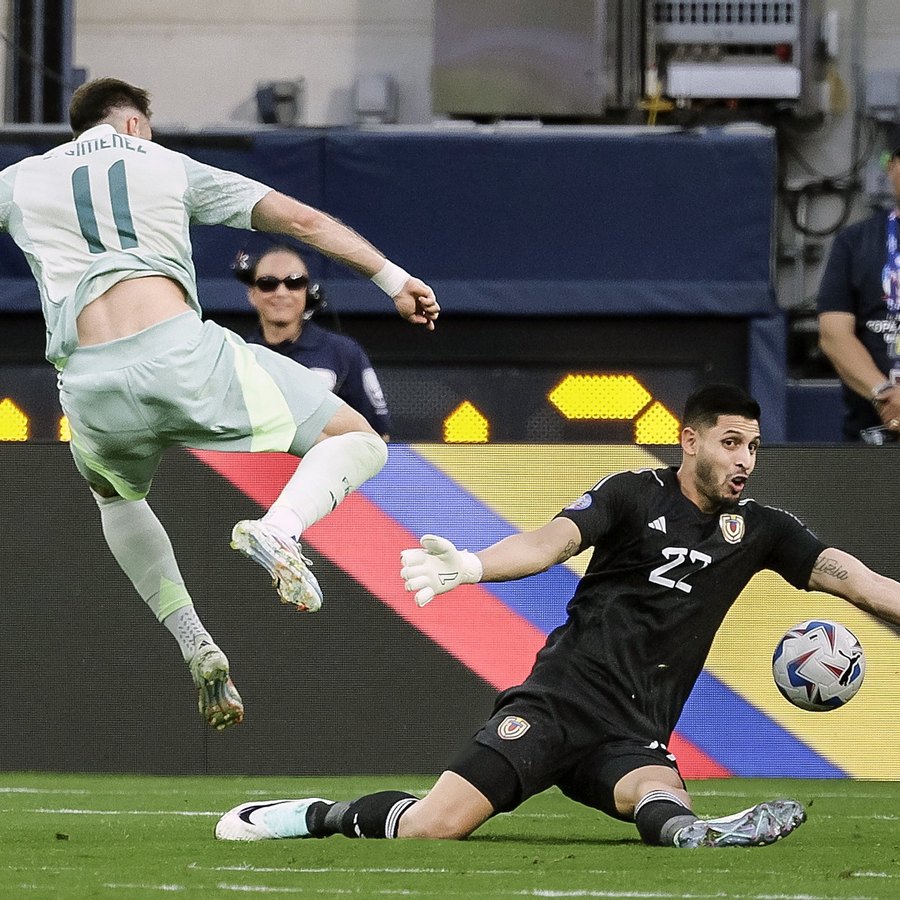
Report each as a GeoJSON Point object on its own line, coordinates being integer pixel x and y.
{"type": "Point", "coordinates": [372, 684]}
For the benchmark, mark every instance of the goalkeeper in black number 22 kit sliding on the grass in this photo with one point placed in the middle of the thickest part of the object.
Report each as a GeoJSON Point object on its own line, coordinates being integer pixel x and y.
{"type": "Point", "coordinates": [672, 550]}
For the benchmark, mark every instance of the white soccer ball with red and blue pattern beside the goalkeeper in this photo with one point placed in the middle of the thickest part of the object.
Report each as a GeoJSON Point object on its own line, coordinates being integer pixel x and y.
{"type": "Point", "coordinates": [819, 665]}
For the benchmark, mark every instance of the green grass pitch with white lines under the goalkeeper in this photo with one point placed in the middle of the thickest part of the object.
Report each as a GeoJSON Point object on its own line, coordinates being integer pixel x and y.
{"type": "Point", "coordinates": [80, 836]}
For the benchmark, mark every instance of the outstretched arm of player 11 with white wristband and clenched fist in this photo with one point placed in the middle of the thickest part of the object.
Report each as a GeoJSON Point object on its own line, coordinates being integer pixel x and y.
{"type": "Point", "coordinates": [413, 299]}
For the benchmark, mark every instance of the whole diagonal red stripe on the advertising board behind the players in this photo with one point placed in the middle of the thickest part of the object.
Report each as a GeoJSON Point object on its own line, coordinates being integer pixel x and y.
{"type": "Point", "coordinates": [360, 539]}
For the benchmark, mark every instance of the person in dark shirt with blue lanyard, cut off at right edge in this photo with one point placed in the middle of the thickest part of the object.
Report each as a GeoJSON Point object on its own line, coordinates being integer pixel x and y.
{"type": "Point", "coordinates": [857, 326]}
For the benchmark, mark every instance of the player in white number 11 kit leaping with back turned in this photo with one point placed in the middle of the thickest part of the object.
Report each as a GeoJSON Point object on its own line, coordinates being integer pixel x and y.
{"type": "Point", "coordinates": [103, 222]}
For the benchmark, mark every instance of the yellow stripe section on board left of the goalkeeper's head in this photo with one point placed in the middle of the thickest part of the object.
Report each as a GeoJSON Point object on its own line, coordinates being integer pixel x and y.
{"type": "Point", "coordinates": [528, 484]}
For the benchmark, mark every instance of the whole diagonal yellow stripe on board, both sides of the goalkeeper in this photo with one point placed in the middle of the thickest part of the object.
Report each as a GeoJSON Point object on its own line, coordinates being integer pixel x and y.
{"type": "Point", "coordinates": [528, 484]}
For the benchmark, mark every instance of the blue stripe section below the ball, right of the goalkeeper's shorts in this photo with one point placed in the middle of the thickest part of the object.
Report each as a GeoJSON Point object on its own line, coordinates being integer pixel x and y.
{"type": "Point", "coordinates": [744, 739]}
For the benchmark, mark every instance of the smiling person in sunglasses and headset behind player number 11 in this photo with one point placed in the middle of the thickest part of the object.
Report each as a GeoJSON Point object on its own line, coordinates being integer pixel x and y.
{"type": "Point", "coordinates": [279, 289]}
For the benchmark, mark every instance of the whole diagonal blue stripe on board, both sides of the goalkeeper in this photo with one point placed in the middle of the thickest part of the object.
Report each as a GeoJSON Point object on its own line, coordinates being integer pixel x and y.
{"type": "Point", "coordinates": [747, 742]}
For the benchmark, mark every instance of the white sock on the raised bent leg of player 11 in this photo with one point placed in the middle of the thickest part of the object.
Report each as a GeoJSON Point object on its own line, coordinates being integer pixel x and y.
{"type": "Point", "coordinates": [331, 470]}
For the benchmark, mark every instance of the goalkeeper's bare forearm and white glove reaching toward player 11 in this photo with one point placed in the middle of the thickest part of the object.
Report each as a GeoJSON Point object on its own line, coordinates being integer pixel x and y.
{"type": "Point", "coordinates": [439, 566]}
